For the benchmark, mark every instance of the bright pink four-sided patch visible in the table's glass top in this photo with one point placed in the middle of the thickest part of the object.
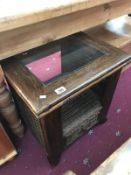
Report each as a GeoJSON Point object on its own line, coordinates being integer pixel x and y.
{"type": "Point", "coordinates": [47, 67]}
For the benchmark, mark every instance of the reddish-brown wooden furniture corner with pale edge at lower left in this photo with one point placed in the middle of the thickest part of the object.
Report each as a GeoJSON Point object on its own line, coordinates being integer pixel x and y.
{"type": "Point", "coordinates": [7, 150]}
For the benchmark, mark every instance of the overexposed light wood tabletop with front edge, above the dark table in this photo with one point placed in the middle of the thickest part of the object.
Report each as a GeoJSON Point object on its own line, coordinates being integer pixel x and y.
{"type": "Point", "coordinates": [25, 12]}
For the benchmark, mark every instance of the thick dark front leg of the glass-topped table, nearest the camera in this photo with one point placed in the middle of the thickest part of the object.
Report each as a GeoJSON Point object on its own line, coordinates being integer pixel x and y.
{"type": "Point", "coordinates": [52, 130]}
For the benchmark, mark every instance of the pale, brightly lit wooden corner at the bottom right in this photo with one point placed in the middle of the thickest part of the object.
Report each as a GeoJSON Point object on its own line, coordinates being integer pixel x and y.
{"type": "Point", "coordinates": [117, 163]}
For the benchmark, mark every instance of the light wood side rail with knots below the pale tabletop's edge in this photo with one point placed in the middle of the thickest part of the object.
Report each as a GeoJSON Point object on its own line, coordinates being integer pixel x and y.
{"type": "Point", "coordinates": [22, 39]}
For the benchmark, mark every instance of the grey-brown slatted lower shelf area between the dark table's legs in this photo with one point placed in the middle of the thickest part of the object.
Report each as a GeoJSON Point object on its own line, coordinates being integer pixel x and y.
{"type": "Point", "coordinates": [79, 115]}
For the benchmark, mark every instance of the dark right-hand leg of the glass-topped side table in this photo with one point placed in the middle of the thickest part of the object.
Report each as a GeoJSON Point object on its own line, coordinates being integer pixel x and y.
{"type": "Point", "coordinates": [108, 95]}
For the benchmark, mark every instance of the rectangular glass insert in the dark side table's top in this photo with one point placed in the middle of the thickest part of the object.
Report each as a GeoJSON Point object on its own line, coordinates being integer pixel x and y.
{"type": "Point", "coordinates": [61, 59]}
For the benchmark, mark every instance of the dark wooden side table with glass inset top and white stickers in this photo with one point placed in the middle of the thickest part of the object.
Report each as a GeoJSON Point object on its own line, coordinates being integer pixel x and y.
{"type": "Point", "coordinates": [60, 108]}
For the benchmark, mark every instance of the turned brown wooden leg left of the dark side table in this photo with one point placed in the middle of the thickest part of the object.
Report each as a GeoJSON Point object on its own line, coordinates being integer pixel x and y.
{"type": "Point", "coordinates": [8, 110]}
